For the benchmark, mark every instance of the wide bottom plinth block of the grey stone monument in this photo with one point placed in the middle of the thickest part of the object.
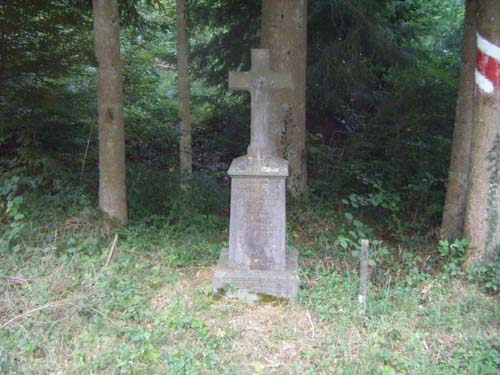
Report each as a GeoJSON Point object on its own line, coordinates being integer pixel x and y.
{"type": "Point", "coordinates": [249, 283]}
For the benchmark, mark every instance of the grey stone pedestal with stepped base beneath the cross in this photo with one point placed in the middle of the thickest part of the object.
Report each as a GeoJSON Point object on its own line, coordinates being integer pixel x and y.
{"type": "Point", "coordinates": [257, 261]}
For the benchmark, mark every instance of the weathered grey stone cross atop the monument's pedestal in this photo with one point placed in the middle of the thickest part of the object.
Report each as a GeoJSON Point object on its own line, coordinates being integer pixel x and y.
{"type": "Point", "coordinates": [260, 81]}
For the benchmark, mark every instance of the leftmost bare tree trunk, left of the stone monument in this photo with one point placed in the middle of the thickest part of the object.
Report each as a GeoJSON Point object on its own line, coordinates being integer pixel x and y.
{"type": "Point", "coordinates": [112, 187]}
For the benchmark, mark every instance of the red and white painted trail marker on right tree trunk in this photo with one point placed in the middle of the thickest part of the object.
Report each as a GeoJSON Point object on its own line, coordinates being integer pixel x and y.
{"type": "Point", "coordinates": [487, 65]}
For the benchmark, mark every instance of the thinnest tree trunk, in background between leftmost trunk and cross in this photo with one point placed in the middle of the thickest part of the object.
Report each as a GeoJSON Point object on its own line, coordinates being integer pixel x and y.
{"type": "Point", "coordinates": [185, 152]}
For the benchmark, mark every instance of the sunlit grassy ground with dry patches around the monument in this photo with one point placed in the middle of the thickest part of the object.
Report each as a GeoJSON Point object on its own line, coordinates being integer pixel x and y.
{"type": "Point", "coordinates": [152, 311]}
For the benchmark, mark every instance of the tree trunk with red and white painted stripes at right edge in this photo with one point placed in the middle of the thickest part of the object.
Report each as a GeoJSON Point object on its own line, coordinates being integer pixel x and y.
{"type": "Point", "coordinates": [482, 221]}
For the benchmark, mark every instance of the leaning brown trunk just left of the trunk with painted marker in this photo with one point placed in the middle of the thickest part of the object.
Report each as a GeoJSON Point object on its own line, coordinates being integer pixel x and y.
{"type": "Point", "coordinates": [456, 194]}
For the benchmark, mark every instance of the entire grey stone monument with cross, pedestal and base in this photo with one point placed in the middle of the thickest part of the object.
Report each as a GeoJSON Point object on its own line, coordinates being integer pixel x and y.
{"type": "Point", "coordinates": [257, 261]}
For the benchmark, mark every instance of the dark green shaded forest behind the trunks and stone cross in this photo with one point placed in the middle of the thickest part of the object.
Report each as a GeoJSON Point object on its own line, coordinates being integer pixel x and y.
{"type": "Point", "coordinates": [381, 93]}
